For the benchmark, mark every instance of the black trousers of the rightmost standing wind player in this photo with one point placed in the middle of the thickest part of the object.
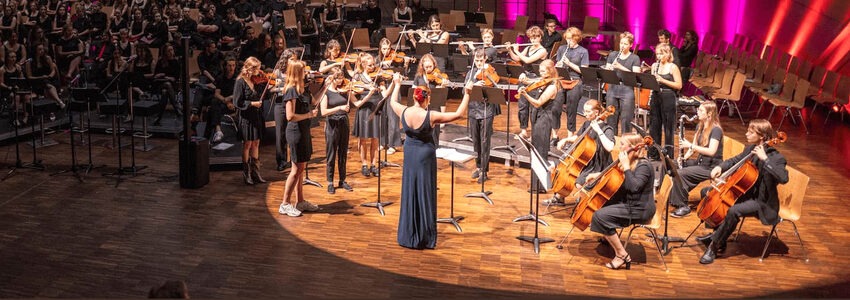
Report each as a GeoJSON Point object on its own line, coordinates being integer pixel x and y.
{"type": "Point", "coordinates": [662, 117]}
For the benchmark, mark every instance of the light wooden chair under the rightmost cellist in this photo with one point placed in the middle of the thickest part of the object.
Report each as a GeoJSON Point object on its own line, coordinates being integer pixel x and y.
{"type": "Point", "coordinates": [791, 196]}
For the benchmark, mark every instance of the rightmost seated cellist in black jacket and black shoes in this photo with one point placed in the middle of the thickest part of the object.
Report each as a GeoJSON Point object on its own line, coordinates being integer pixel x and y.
{"type": "Point", "coordinates": [761, 199]}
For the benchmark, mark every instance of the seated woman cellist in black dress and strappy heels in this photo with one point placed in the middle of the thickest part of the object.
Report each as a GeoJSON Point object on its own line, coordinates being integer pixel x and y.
{"type": "Point", "coordinates": [633, 203]}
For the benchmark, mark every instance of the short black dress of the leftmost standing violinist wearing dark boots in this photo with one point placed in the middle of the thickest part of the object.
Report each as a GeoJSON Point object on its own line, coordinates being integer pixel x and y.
{"type": "Point", "coordinates": [251, 121]}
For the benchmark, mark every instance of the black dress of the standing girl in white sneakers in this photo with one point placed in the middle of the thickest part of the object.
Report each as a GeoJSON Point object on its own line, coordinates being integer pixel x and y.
{"type": "Point", "coordinates": [298, 133]}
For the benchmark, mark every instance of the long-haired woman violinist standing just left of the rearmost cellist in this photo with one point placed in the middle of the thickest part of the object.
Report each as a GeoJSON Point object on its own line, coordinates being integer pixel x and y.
{"type": "Point", "coordinates": [540, 95]}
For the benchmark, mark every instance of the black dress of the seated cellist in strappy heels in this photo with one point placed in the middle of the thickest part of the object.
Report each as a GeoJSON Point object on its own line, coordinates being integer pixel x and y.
{"type": "Point", "coordinates": [632, 204]}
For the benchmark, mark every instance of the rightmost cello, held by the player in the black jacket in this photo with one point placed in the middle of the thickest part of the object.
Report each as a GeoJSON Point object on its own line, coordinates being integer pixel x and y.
{"type": "Point", "coordinates": [729, 186]}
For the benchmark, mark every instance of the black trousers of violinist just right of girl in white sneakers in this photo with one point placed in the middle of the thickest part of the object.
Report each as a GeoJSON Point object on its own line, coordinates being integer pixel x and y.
{"type": "Point", "coordinates": [337, 132]}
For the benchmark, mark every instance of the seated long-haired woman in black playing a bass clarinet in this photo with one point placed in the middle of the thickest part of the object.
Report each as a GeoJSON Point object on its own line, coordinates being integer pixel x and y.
{"type": "Point", "coordinates": [708, 145]}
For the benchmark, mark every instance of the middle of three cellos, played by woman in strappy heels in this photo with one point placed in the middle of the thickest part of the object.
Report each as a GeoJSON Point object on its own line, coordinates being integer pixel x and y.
{"type": "Point", "coordinates": [606, 185]}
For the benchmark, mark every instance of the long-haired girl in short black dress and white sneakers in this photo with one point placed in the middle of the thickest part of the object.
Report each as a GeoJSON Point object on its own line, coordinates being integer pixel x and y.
{"type": "Point", "coordinates": [298, 114]}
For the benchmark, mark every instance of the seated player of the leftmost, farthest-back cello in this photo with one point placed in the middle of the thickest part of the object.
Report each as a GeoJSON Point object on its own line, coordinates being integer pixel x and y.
{"type": "Point", "coordinates": [599, 132]}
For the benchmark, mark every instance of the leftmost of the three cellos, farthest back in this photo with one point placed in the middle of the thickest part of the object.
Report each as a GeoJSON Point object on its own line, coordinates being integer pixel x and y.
{"type": "Point", "coordinates": [575, 159]}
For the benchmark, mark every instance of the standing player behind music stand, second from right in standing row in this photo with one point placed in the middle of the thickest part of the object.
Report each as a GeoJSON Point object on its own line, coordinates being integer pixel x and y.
{"type": "Point", "coordinates": [620, 96]}
